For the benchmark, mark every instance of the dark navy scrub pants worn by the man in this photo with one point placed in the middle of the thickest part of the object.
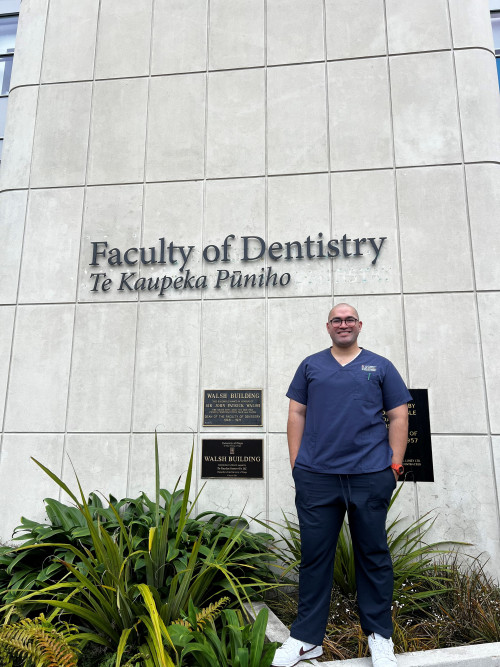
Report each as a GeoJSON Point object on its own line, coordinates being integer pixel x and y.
{"type": "Point", "coordinates": [322, 501]}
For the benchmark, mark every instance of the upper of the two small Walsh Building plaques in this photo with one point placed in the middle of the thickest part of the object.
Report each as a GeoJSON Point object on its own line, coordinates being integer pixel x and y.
{"type": "Point", "coordinates": [232, 407]}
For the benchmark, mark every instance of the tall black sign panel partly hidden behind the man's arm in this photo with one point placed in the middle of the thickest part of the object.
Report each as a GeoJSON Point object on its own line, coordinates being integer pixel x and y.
{"type": "Point", "coordinates": [418, 458]}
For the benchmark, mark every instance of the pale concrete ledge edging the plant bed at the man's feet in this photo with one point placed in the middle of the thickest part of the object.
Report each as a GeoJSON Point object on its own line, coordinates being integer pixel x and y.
{"type": "Point", "coordinates": [477, 655]}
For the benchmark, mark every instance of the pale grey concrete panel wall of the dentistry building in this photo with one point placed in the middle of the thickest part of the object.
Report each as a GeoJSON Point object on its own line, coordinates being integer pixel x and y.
{"type": "Point", "coordinates": [130, 121]}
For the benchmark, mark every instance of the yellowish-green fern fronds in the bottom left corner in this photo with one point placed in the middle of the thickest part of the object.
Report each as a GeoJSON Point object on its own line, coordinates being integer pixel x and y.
{"type": "Point", "coordinates": [39, 642]}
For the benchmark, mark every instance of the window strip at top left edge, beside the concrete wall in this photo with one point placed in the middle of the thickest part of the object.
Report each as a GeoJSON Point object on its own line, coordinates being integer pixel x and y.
{"type": "Point", "coordinates": [9, 14]}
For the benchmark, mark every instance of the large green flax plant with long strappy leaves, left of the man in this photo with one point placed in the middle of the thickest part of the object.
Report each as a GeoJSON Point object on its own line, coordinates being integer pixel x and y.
{"type": "Point", "coordinates": [102, 594]}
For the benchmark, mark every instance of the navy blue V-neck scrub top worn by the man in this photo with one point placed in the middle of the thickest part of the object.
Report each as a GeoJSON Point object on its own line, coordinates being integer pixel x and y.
{"type": "Point", "coordinates": [345, 432]}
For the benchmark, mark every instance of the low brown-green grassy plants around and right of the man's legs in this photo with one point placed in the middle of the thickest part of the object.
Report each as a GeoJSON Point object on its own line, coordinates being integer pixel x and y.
{"type": "Point", "coordinates": [456, 602]}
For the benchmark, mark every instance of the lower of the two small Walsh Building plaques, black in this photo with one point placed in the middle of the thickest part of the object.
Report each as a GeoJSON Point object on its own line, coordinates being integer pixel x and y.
{"type": "Point", "coordinates": [232, 458]}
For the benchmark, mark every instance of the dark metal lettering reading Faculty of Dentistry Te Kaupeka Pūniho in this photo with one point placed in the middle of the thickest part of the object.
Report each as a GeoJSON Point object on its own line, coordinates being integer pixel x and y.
{"type": "Point", "coordinates": [165, 255]}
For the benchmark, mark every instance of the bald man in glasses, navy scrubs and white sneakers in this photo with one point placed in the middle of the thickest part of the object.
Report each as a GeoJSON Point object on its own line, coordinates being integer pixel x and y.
{"type": "Point", "coordinates": [344, 459]}
